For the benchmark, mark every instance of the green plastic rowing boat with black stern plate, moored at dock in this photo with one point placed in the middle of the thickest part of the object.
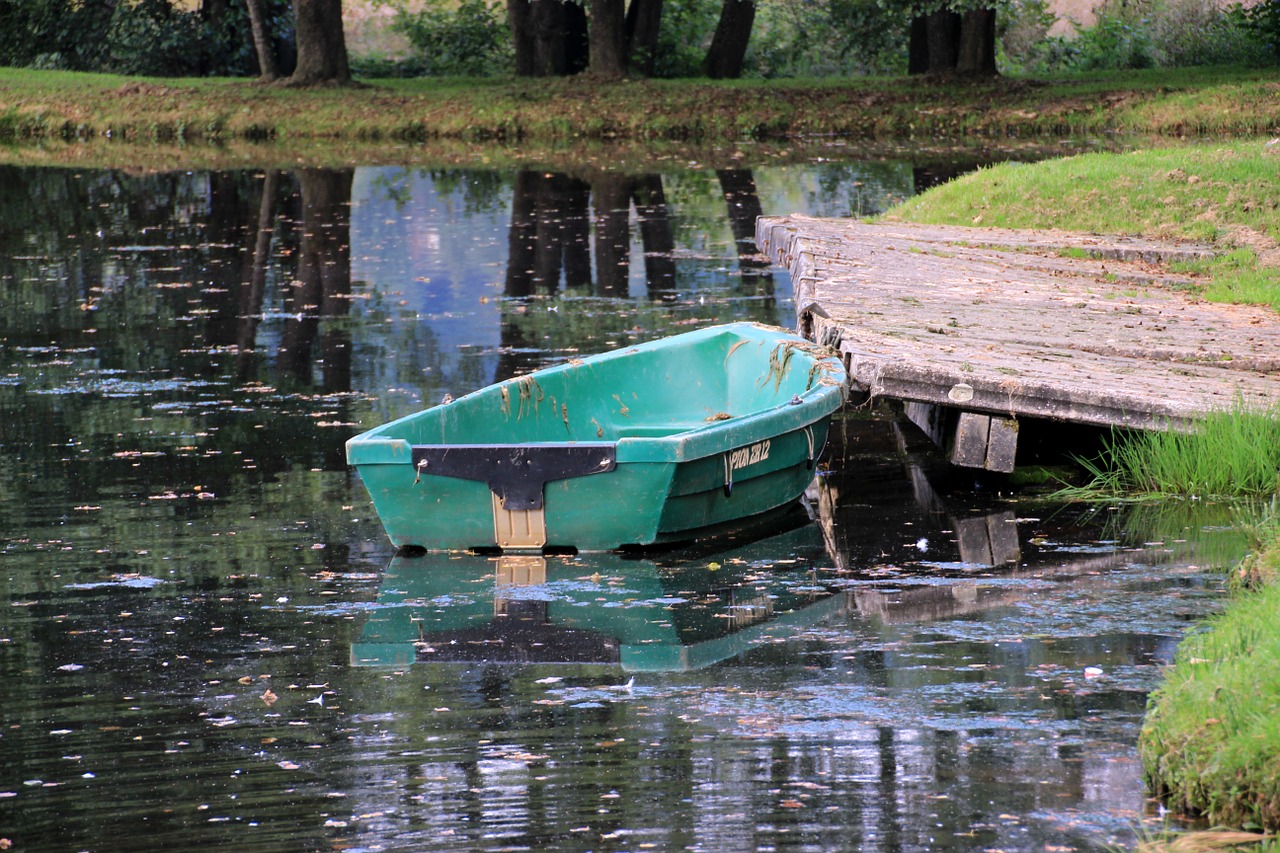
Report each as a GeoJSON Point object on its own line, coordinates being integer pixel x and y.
{"type": "Point", "coordinates": [652, 444]}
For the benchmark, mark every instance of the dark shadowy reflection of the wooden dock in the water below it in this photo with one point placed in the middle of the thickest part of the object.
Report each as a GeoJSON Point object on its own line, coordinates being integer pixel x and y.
{"type": "Point", "coordinates": [950, 558]}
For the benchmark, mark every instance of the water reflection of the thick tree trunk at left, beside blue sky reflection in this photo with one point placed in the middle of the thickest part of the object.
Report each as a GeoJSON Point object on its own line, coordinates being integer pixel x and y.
{"type": "Point", "coordinates": [323, 284]}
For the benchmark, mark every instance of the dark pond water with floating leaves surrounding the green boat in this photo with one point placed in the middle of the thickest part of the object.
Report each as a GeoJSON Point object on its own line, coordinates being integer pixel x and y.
{"type": "Point", "coordinates": [207, 640]}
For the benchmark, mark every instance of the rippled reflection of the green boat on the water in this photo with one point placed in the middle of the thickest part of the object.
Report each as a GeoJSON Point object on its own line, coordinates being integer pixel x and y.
{"type": "Point", "coordinates": [605, 609]}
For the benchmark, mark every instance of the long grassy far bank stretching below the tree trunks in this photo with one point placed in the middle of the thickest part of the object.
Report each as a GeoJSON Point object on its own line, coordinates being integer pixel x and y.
{"type": "Point", "coordinates": [54, 106]}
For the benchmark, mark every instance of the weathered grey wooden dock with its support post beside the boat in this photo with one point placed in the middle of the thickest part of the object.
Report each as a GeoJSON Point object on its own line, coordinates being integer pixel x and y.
{"type": "Point", "coordinates": [976, 329]}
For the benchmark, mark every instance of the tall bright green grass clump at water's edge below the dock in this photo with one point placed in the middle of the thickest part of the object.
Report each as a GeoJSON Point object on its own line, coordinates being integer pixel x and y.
{"type": "Point", "coordinates": [1228, 454]}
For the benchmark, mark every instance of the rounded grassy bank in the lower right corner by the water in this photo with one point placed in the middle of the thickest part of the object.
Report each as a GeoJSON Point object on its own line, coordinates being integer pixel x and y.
{"type": "Point", "coordinates": [1212, 740]}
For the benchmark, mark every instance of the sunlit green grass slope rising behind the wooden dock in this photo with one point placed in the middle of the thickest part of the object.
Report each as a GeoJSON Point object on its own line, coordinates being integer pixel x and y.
{"type": "Point", "coordinates": [1222, 194]}
